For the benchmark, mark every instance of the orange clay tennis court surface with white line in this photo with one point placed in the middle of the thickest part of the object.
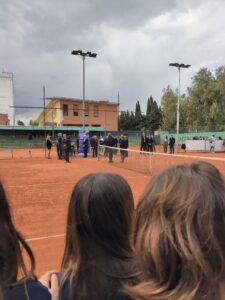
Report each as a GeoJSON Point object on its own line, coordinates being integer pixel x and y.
{"type": "Point", "coordinates": [39, 191]}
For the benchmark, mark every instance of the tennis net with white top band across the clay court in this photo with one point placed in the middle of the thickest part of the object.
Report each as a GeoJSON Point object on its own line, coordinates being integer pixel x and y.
{"type": "Point", "coordinates": [152, 162]}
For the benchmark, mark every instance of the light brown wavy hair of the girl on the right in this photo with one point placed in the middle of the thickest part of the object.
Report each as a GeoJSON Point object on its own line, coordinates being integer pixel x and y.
{"type": "Point", "coordinates": [179, 234]}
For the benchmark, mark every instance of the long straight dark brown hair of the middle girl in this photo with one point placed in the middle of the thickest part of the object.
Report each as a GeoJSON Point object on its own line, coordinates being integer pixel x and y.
{"type": "Point", "coordinates": [98, 248]}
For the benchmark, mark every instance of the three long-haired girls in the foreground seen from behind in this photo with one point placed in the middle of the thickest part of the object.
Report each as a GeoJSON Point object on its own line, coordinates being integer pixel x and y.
{"type": "Point", "coordinates": [170, 247]}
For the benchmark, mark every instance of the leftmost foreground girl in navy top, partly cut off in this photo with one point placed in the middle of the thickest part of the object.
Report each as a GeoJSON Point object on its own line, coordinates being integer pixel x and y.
{"type": "Point", "coordinates": [16, 281]}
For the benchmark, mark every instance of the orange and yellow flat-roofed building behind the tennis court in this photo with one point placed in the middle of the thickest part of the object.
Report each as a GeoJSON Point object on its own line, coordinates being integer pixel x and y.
{"type": "Point", "coordinates": [69, 112]}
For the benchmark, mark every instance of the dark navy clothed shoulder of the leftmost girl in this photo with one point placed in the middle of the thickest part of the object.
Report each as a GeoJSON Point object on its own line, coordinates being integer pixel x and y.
{"type": "Point", "coordinates": [34, 289]}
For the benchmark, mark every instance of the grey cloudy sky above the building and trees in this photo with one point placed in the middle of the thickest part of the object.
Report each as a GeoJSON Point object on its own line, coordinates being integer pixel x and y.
{"type": "Point", "coordinates": [135, 41]}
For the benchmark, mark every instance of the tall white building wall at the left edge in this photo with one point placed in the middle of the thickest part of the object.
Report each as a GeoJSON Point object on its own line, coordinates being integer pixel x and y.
{"type": "Point", "coordinates": [7, 96]}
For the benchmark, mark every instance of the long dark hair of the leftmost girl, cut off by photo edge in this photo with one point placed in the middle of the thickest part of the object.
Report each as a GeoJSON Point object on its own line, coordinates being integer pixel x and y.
{"type": "Point", "coordinates": [12, 265]}
